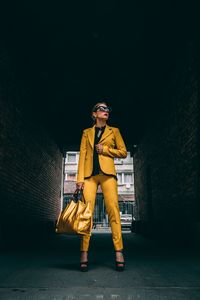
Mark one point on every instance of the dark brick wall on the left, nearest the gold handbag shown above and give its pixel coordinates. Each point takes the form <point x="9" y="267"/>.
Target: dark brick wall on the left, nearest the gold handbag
<point x="30" y="168"/>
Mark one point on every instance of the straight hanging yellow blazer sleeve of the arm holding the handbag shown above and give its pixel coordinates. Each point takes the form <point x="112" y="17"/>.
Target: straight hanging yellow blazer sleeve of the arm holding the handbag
<point x="81" y="162"/>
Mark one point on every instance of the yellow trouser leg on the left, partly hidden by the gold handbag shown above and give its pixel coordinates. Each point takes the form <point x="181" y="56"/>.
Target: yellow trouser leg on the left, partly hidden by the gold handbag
<point x="89" y="194"/>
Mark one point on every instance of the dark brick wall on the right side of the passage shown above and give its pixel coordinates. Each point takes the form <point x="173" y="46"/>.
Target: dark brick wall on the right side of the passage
<point x="166" y="162"/>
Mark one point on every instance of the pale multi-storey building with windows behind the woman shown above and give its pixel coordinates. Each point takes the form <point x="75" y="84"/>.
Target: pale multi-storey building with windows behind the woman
<point x="124" y="169"/>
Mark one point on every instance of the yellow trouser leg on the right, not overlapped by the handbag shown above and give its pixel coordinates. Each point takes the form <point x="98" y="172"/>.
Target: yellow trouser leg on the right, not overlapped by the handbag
<point x="110" y="192"/>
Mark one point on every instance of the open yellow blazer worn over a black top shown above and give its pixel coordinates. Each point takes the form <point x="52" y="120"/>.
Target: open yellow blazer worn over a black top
<point x="113" y="146"/>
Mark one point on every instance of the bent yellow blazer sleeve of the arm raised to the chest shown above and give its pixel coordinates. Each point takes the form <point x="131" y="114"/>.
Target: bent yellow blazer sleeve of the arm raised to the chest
<point x="120" y="150"/>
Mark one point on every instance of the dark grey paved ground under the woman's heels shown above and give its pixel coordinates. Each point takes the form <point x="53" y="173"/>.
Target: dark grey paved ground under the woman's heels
<point x="49" y="270"/>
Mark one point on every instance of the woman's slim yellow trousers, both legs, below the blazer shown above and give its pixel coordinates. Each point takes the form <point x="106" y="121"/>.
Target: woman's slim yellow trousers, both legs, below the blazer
<point x="110" y="193"/>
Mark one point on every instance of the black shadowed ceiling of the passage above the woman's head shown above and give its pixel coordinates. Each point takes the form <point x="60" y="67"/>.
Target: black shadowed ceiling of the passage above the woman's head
<point x="68" y="55"/>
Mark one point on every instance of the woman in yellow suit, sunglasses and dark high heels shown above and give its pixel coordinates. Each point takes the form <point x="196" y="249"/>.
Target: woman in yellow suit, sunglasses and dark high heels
<point x="100" y="144"/>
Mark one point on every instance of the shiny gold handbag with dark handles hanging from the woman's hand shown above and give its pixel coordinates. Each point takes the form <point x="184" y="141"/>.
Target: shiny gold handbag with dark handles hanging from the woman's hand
<point x="76" y="217"/>
